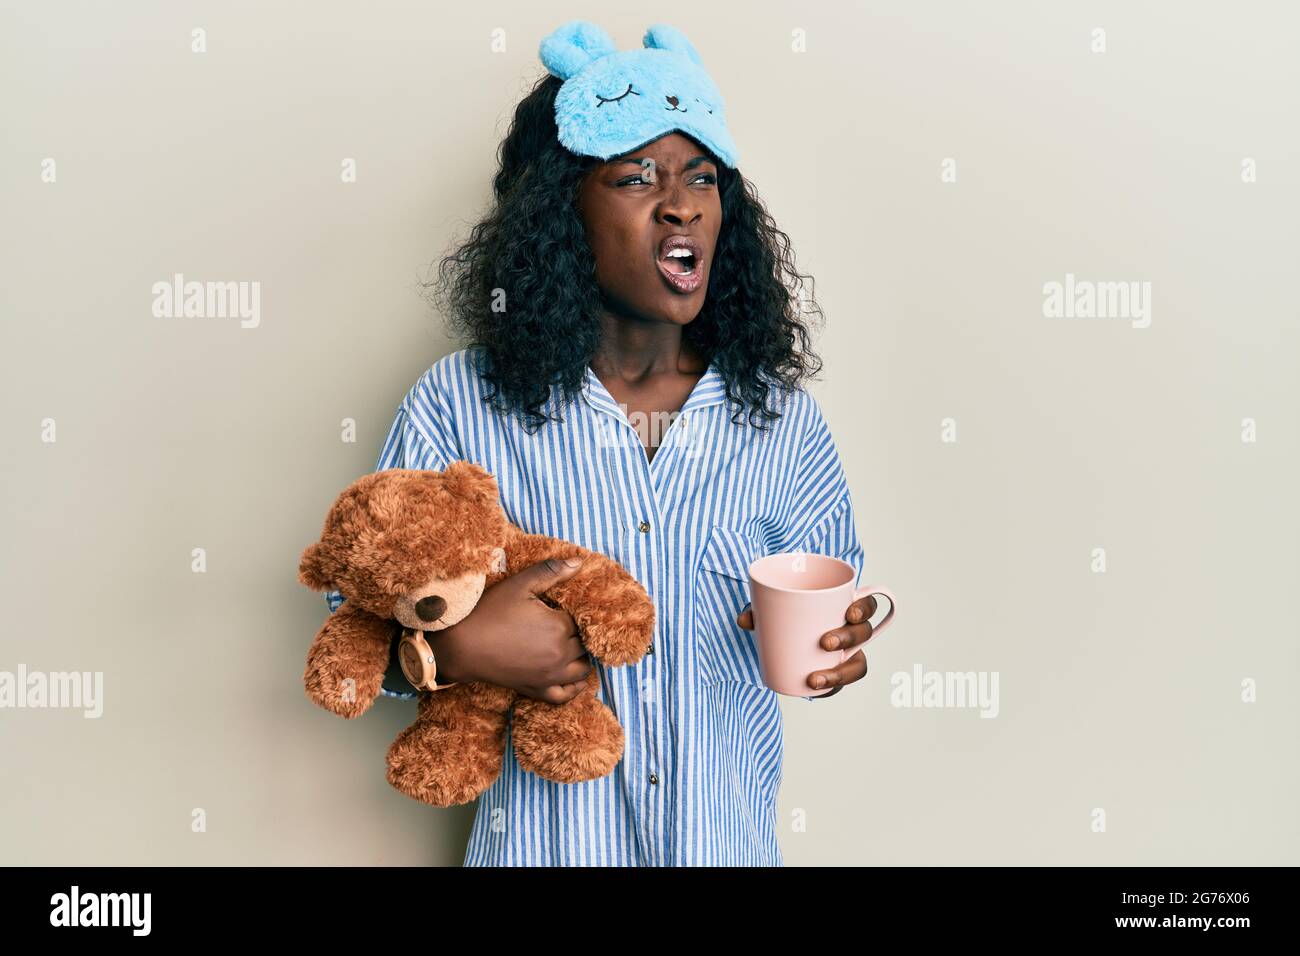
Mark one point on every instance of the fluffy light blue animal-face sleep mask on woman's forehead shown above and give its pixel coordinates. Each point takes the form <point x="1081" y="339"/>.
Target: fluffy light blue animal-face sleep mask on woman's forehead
<point x="614" y="102"/>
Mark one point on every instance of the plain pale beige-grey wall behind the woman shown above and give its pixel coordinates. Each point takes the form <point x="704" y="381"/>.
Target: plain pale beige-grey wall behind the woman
<point x="1120" y="691"/>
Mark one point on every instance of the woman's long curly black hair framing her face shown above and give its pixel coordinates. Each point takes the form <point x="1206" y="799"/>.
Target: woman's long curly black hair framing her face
<point x="530" y="259"/>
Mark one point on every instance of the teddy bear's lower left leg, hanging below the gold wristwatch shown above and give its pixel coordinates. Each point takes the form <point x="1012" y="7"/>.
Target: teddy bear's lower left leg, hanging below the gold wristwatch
<point x="454" y="750"/>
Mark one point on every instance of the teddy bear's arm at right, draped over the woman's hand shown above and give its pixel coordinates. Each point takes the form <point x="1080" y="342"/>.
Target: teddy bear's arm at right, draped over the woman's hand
<point x="614" y="613"/>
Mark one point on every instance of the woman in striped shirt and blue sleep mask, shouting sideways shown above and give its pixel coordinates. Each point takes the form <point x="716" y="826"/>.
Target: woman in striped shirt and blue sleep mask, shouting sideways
<point x="632" y="379"/>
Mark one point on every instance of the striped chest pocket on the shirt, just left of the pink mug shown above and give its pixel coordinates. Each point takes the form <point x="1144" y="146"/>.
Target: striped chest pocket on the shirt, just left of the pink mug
<point x="725" y="650"/>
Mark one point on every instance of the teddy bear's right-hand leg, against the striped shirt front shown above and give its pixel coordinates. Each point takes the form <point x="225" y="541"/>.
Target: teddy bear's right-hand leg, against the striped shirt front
<point x="567" y="743"/>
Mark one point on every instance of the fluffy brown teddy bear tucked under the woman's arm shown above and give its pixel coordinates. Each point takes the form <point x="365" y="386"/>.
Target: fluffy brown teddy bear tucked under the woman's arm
<point x="417" y="550"/>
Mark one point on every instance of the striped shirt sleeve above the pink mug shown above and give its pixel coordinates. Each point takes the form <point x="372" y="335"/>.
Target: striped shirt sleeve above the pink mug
<point x="824" y="520"/>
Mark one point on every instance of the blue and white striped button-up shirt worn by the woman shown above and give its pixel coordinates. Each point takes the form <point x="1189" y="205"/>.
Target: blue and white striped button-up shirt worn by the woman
<point x="703" y="763"/>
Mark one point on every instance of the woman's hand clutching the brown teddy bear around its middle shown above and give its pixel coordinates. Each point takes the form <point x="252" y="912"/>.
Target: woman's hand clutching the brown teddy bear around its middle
<point x="514" y="639"/>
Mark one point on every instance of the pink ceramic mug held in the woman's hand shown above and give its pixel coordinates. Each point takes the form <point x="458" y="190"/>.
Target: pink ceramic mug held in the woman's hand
<point x="796" y="599"/>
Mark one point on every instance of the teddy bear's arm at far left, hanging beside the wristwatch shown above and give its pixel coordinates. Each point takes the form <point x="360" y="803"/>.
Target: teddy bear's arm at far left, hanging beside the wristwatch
<point x="348" y="661"/>
